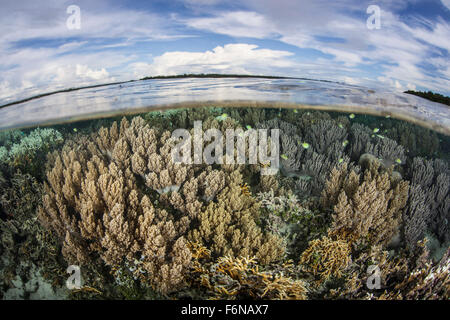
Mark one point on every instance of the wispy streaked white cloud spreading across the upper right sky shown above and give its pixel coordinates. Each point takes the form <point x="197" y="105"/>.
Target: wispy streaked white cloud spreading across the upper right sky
<point x="398" y="48"/>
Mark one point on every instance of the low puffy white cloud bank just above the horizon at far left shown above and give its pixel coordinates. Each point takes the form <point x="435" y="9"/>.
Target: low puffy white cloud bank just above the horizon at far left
<point x="34" y="73"/>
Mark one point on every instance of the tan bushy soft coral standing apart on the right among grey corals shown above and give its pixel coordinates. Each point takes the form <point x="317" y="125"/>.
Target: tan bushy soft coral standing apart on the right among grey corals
<point x="368" y="207"/>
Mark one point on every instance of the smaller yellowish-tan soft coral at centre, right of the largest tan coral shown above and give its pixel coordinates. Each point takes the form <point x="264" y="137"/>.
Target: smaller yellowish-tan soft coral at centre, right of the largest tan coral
<point x="228" y="226"/>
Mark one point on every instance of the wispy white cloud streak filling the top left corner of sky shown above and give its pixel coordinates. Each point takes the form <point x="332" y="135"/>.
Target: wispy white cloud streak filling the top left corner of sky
<point x="98" y="20"/>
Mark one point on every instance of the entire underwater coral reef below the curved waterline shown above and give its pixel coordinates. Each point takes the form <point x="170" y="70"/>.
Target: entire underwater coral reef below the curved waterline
<point x="226" y="203"/>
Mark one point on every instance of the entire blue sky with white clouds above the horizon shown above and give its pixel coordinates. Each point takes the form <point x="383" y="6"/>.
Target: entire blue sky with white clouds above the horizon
<point x="390" y="44"/>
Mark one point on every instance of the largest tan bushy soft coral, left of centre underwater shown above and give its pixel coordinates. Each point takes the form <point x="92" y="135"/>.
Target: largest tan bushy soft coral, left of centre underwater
<point x="93" y="203"/>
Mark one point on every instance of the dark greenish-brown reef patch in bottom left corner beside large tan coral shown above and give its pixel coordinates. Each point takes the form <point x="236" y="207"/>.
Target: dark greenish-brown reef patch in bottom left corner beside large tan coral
<point x="28" y="258"/>
